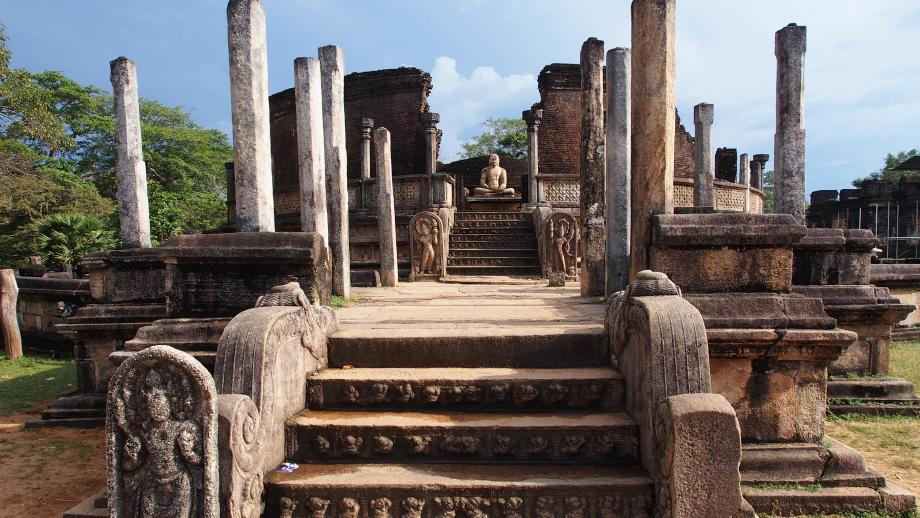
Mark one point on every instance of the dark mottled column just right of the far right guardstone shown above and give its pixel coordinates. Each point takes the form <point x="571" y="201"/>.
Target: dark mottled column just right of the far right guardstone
<point x="594" y="233"/>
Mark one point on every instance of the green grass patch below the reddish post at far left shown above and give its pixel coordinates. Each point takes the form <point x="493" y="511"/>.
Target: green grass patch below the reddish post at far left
<point x="26" y="381"/>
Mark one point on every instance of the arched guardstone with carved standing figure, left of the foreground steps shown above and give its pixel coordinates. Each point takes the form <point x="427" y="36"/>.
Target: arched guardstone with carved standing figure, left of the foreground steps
<point x="161" y="436"/>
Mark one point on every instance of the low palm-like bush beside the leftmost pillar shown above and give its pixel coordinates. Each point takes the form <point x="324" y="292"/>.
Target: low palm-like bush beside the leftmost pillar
<point x="64" y="239"/>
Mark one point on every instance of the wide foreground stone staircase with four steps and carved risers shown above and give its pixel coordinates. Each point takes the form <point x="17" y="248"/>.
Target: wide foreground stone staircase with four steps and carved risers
<point x="437" y="425"/>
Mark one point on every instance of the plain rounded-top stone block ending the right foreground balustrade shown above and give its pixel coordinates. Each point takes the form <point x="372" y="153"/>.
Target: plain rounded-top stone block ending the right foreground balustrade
<point x="701" y="454"/>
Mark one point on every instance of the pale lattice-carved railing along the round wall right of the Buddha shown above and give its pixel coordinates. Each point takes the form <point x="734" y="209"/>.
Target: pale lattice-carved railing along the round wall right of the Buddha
<point x="562" y="191"/>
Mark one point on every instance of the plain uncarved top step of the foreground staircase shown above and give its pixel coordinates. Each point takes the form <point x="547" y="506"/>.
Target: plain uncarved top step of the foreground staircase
<point x="537" y="347"/>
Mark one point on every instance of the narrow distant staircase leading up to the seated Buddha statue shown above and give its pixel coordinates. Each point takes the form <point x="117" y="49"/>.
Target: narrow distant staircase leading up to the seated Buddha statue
<point x="493" y="243"/>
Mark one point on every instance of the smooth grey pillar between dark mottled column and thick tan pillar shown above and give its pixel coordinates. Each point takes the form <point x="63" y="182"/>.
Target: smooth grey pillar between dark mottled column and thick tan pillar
<point x="617" y="203"/>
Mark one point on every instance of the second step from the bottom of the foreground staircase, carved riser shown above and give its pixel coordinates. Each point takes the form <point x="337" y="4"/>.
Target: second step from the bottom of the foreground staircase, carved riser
<point x="468" y="437"/>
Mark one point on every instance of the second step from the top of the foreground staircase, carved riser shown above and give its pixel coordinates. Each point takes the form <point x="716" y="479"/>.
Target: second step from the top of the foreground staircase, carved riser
<point x="459" y="389"/>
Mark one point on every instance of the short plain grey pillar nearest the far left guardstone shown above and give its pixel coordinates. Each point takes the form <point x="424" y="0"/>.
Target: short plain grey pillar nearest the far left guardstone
<point x="386" y="213"/>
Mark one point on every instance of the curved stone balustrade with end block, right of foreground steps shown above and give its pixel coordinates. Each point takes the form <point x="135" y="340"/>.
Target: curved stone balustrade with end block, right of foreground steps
<point x="690" y="439"/>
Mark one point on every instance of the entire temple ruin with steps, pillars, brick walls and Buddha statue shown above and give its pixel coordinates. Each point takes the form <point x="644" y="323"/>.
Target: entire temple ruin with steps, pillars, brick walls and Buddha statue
<point x="686" y="375"/>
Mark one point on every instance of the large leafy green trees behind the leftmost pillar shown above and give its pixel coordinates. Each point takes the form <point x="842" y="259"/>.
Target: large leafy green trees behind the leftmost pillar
<point x="57" y="155"/>
